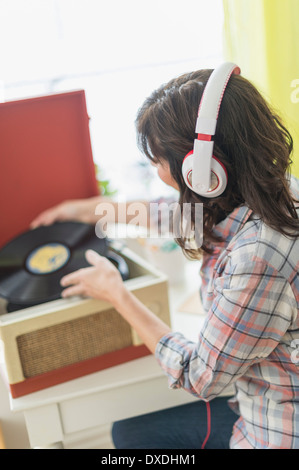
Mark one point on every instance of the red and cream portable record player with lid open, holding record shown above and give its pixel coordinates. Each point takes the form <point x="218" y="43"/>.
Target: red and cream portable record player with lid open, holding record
<point x="46" y="156"/>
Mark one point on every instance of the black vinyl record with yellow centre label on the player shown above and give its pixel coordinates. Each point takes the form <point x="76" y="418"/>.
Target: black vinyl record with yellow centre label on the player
<point x="32" y="264"/>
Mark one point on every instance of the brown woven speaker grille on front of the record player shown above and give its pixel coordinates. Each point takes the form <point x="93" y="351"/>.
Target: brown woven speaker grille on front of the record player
<point x="73" y="341"/>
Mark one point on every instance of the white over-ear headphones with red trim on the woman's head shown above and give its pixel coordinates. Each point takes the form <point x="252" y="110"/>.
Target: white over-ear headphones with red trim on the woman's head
<point x="202" y="172"/>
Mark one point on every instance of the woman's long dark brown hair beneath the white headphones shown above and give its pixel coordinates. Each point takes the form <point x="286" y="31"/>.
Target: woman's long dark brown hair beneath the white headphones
<point x="250" y="140"/>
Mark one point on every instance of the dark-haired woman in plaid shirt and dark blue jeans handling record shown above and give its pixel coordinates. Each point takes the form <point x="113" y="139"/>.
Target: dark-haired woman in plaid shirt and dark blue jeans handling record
<point x="250" y="283"/>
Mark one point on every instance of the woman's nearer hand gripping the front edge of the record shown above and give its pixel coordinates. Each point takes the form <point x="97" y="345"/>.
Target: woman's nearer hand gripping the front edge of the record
<point x="101" y="280"/>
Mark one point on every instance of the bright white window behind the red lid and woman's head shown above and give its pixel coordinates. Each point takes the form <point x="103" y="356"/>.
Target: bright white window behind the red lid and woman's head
<point x="118" y="52"/>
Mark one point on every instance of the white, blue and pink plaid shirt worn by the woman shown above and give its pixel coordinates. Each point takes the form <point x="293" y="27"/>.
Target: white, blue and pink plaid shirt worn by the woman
<point x="250" y="338"/>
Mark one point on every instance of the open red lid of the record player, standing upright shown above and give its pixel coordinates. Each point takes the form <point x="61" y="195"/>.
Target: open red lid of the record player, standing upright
<point x="45" y="157"/>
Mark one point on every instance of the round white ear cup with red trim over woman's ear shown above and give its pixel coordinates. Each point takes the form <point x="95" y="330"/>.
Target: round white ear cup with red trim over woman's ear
<point x="218" y="176"/>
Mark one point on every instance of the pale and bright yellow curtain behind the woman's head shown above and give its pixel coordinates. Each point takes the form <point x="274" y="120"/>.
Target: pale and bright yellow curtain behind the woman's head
<point x="262" y="37"/>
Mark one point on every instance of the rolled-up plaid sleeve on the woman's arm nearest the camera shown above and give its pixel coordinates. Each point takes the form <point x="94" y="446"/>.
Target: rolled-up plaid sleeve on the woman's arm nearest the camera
<point x="252" y="309"/>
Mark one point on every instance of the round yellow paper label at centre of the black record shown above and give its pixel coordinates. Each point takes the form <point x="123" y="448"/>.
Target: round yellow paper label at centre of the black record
<point x="47" y="258"/>
